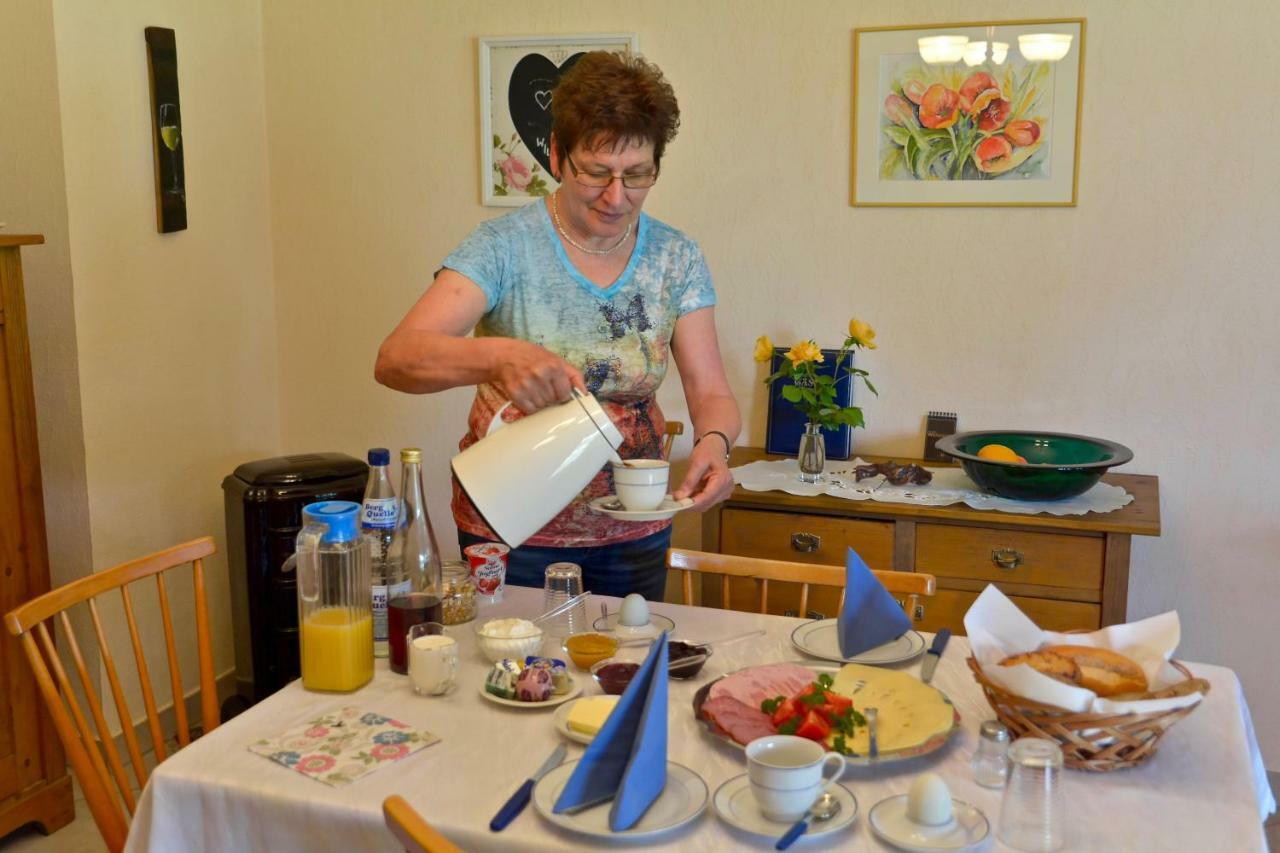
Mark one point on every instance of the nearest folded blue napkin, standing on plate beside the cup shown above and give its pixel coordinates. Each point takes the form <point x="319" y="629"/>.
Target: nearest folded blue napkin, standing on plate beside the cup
<point x="628" y="760"/>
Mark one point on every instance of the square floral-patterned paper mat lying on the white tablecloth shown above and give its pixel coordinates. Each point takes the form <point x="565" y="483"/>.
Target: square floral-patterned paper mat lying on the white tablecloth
<point x="342" y="746"/>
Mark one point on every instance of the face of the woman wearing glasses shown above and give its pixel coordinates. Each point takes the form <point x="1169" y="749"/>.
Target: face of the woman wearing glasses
<point x="604" y="213"/>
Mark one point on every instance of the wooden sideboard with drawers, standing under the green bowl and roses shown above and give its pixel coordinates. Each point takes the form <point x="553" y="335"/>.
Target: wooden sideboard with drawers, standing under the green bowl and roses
<point x="1066" y="572"/>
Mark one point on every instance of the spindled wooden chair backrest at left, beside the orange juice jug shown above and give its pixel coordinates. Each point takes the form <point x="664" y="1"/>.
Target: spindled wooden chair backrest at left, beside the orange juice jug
<point x="95" y="759"/>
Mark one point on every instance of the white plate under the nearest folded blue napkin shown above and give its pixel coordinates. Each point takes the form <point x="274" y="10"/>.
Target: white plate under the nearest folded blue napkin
<point x="682" y="801"/>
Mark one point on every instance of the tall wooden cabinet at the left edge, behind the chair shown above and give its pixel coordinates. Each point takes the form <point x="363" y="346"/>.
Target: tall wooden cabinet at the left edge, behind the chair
<point x="34" y="782"/>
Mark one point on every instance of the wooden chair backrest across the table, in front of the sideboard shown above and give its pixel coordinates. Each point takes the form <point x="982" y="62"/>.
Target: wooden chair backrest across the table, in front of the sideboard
<point x="907" y="585"/>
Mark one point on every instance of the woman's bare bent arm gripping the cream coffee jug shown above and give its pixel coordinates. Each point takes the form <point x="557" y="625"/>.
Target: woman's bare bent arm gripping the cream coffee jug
<point x="429" y="352"/>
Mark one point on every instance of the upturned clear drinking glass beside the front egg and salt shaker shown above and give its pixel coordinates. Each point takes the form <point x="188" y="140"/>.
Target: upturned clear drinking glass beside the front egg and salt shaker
<point x="1032" y="815"/>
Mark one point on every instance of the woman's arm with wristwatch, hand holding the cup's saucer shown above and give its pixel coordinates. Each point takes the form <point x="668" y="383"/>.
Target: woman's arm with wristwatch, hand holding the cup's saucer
<point x="711" y="407"/>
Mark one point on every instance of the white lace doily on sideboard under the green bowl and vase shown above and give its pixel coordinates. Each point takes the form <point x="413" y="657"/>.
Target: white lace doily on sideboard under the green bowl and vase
<point x="949" y="486"/>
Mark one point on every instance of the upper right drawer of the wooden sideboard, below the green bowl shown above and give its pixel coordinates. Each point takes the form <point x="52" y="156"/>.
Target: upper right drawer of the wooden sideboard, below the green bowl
<point x="1011" y="556"/>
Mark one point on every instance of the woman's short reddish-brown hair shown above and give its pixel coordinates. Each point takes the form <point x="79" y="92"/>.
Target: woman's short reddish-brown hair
<point x="610" y="98"/>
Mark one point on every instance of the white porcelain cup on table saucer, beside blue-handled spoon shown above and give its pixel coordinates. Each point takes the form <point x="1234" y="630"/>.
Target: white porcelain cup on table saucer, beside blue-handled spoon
<point x="787" y="774"/>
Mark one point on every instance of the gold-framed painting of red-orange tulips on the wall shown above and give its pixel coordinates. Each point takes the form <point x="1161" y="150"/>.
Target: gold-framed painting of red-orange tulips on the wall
<point x="936" y="134"/>
